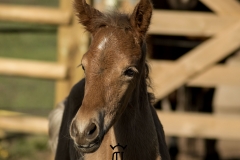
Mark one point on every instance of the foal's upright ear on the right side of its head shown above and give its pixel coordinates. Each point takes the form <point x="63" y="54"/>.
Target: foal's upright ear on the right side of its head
<point x="141" y="16"/>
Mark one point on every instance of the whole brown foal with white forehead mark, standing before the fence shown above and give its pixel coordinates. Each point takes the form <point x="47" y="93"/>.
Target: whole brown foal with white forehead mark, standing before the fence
<point x="114" y="117"/>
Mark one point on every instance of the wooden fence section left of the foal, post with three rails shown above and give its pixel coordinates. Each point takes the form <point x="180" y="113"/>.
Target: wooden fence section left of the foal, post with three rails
<point x="72" y="44"/>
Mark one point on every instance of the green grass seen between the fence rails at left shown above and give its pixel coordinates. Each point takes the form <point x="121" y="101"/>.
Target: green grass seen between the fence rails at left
<point x="28" y="95"/>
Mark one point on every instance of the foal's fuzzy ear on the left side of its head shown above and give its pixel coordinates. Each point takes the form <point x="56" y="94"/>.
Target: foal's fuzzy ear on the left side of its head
<point x="86" y="14"/>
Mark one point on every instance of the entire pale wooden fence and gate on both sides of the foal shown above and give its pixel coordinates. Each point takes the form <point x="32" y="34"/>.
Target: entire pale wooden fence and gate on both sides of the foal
<point x="196" y="68"/>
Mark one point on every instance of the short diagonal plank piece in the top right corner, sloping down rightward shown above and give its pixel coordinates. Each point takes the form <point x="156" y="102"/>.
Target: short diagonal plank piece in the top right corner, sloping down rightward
<point x="224" y="7"/>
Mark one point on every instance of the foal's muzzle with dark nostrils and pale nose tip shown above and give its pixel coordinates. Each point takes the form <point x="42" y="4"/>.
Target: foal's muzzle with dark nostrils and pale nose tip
<point x="86" y="137"/>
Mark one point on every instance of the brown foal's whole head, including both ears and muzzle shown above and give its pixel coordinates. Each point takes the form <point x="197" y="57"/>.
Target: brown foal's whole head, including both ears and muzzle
<point x="113" y="65"/>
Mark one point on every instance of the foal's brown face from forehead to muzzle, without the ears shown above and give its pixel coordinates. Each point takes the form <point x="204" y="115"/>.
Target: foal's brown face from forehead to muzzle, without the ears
<point x="112" y="67"/>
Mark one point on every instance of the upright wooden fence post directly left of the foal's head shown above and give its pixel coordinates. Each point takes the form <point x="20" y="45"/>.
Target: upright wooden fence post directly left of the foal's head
<point x="73" y="42"/>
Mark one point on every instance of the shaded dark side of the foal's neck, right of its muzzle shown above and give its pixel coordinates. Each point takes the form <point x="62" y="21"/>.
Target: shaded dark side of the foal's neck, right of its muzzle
<point x="136" y="129"/>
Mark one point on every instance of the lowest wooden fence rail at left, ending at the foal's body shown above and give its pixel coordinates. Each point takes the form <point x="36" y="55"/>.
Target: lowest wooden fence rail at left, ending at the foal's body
<point x="23" y="123"/>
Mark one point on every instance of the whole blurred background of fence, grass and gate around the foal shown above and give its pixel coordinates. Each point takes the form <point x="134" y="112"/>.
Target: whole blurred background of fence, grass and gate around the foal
<point x="193" y="50"/>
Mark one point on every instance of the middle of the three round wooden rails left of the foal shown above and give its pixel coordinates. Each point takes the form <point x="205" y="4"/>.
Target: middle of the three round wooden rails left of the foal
<point x="31" y="68"/>
